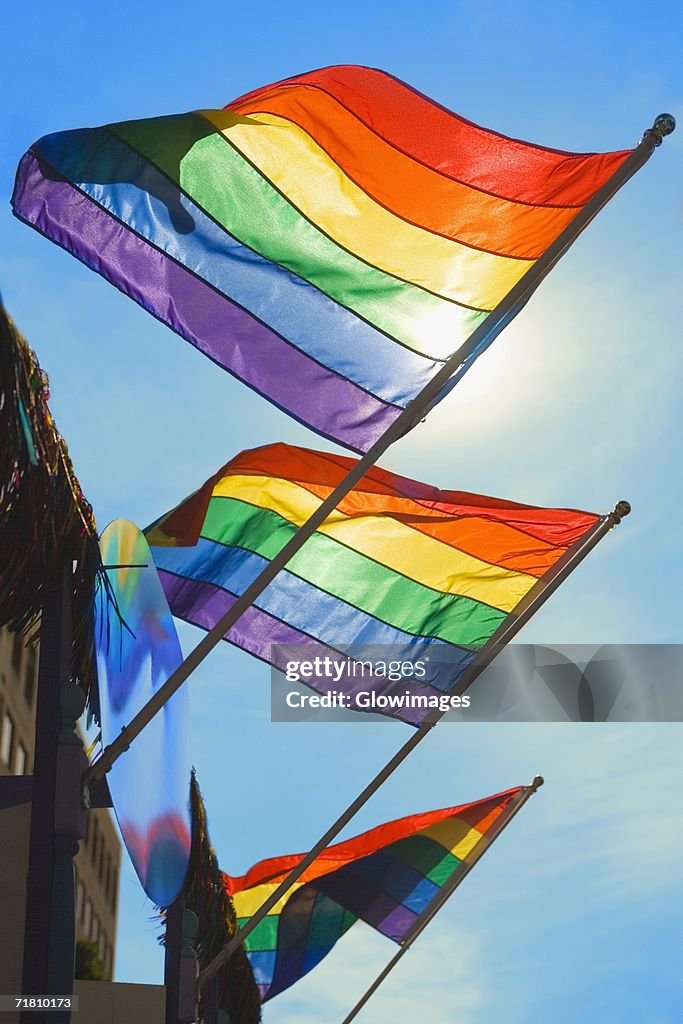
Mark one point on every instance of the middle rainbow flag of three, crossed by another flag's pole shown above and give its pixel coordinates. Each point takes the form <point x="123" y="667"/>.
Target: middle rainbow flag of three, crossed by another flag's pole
<point x="400" y="568"/>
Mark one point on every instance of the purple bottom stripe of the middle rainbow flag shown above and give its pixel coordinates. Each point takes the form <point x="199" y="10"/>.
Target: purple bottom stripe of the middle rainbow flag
<point x="203" y="605"/>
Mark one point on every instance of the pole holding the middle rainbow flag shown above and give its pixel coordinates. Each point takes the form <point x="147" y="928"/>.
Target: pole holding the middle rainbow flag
<point x="536" y="599"/>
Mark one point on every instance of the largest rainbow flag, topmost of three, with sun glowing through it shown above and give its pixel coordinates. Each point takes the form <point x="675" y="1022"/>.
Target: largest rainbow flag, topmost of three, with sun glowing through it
<point x="331" y="240"/>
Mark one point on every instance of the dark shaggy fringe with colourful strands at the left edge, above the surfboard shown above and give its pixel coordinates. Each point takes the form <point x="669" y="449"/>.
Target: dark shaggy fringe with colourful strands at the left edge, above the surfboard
<point x="45" y="517"/>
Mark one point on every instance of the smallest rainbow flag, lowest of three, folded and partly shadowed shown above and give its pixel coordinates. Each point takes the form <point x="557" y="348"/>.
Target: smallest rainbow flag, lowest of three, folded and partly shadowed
<point x="388" y="877"/>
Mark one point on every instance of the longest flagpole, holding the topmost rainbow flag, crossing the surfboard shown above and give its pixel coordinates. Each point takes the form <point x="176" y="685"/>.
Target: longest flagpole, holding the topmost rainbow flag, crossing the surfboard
<point x="515" y="302"/>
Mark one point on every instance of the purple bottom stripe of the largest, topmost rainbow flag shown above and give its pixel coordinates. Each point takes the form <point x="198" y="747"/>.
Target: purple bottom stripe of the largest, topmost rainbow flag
<point x="225" y="332"/>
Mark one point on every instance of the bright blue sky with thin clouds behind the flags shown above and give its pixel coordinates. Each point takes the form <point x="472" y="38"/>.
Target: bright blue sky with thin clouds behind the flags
<point x="576" y="914"/>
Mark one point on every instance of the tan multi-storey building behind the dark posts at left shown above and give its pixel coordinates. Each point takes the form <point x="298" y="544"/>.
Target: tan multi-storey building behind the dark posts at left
<point x="99" y="861"/>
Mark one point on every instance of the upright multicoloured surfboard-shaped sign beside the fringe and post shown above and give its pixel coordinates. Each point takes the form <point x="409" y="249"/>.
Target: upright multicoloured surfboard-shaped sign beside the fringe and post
<point x="138" y="651"/>
